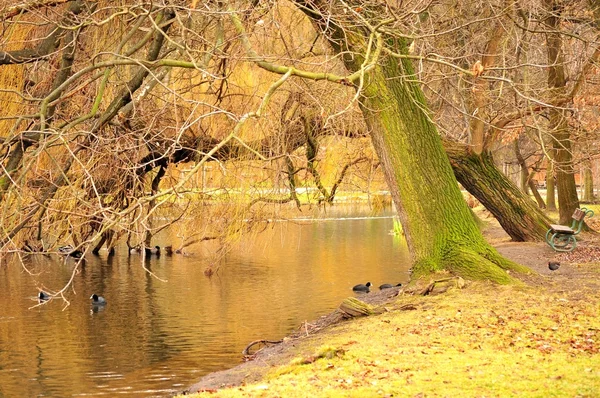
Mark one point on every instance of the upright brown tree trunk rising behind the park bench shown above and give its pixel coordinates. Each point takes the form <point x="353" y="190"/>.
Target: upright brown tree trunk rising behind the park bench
<point x="559" y="127"/>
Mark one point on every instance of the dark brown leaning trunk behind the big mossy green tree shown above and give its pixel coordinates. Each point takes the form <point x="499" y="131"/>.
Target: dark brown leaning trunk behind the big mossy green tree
<point x="516" y="212"/>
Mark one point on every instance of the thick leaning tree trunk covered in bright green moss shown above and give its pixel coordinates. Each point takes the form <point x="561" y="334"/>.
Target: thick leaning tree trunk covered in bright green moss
<point x="440" y="230"/>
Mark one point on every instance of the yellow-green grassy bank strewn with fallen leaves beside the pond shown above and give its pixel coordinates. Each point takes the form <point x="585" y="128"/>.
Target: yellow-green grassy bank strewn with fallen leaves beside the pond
<point x="483" y="340"/>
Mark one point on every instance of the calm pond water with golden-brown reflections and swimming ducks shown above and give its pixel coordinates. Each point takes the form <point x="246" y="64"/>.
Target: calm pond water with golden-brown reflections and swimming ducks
<point x="158" y="336"/>
